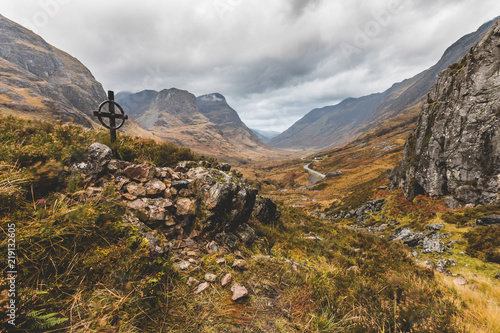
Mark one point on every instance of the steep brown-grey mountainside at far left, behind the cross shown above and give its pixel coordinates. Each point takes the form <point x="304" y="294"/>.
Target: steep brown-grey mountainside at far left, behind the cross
<point x="40" y="81"/>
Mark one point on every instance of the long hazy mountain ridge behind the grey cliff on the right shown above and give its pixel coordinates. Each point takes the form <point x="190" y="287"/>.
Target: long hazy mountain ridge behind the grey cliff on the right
<point x="339" y="124"/>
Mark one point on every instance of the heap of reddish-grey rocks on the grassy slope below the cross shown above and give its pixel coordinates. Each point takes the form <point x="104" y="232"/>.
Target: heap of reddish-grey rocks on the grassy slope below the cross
<point x="189" y="202"/>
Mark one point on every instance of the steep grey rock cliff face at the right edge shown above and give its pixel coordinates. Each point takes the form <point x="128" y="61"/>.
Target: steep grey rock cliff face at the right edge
<point x="455" y="146"/>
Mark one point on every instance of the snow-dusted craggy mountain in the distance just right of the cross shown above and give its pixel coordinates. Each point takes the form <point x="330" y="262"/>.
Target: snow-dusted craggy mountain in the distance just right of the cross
<point x="206" y="124"/>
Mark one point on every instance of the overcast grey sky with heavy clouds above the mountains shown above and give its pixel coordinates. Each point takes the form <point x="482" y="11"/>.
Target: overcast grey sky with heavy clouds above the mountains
<point x="273" y="60"/>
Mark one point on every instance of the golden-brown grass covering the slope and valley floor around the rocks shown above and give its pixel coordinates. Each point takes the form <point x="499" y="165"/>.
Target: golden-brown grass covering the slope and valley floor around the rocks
<point x="84" y="268"/>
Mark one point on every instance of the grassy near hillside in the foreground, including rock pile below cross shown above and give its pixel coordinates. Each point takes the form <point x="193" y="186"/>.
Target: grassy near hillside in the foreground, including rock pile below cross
<point x="88" y="259"/>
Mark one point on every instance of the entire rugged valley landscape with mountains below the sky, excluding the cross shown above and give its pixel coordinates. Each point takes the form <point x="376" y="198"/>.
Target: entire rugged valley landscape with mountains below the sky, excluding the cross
<point x="378" y="214"/>
